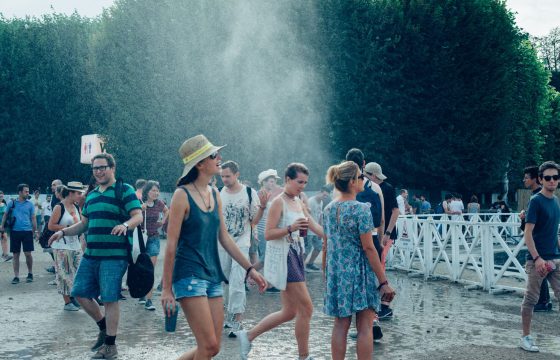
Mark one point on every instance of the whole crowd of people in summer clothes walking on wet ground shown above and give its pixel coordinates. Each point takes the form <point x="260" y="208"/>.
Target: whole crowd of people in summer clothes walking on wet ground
<point x="219" y="240"/>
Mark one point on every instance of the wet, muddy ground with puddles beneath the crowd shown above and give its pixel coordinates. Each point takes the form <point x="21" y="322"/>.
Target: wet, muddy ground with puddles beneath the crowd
<point x="433" y="320"/>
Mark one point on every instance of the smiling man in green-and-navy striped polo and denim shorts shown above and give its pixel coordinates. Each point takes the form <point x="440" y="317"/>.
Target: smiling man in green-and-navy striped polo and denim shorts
<point x="105" y="259"/>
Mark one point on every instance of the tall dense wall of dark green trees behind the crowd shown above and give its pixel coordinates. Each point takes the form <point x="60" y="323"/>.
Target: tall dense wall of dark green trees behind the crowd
<point x="442" y="93"/>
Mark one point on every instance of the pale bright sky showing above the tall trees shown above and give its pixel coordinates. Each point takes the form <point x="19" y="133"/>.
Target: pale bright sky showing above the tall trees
<point x="537" y="17"/>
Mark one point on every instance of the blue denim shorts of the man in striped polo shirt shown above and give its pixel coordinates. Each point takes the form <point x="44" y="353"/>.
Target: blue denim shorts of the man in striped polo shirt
<point x="97" y="277"/>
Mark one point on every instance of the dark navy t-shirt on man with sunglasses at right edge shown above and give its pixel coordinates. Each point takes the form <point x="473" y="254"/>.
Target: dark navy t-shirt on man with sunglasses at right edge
<point x="544" y="212"/>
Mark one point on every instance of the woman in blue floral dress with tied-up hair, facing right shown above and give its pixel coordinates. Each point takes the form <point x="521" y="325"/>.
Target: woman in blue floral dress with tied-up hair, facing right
<point x="355" y="278"/>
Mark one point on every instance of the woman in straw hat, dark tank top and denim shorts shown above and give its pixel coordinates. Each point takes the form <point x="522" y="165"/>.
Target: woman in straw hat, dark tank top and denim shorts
<point x="191" y="263"/>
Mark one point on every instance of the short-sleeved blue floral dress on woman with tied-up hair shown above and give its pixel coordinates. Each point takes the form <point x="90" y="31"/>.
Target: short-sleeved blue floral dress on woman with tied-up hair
<point x="351" y="282"/>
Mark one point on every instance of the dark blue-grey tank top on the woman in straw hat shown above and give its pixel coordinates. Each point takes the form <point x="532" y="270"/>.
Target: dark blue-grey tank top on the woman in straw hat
<point x="197" y="248"/>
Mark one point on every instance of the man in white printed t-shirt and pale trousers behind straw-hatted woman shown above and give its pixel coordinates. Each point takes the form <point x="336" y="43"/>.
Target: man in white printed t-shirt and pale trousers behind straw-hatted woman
<point x="242" y="208"/>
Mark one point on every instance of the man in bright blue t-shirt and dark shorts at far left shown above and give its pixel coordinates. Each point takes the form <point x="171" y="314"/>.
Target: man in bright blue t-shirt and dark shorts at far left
<point x="20" y="219"/>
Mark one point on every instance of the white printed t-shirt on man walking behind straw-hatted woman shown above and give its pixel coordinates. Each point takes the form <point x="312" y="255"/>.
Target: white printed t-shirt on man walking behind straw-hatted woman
<point x="237" y="215"/>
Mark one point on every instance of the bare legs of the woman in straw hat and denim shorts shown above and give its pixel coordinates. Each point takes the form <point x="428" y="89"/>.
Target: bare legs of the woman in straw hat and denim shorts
<point x="205" y="317"/>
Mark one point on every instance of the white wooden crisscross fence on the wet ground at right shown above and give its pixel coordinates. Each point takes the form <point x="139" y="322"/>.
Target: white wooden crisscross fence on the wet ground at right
<point x="462" y="248"/>
